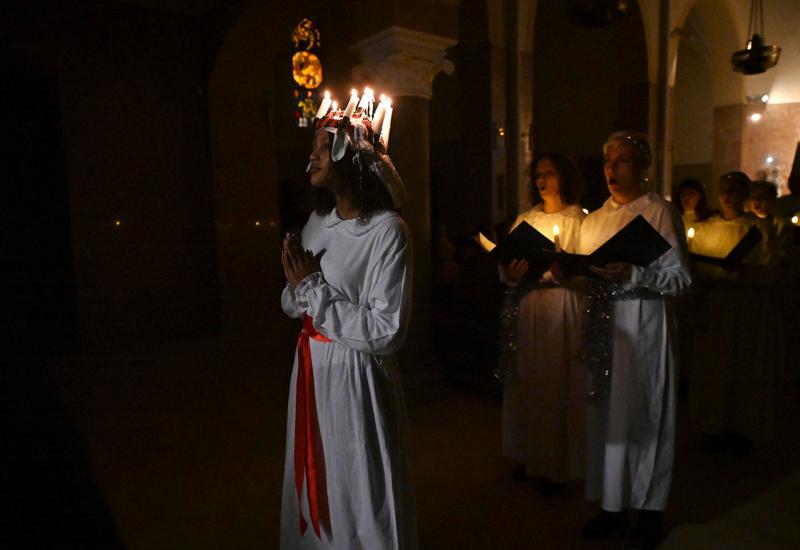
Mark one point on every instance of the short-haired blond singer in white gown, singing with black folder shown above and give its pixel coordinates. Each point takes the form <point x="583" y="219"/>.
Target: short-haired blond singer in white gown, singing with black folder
<point x="631" y="417"/>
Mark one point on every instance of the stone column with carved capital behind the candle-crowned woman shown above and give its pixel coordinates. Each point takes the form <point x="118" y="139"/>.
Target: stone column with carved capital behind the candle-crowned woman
<point x="403" y="63"/>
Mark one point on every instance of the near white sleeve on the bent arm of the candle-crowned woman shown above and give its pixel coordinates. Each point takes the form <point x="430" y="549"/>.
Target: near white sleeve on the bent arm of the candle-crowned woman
<point x="377" y="326"/>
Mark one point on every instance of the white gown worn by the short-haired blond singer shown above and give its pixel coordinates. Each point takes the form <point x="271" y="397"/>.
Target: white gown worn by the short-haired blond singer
<point x="631" y="431"/>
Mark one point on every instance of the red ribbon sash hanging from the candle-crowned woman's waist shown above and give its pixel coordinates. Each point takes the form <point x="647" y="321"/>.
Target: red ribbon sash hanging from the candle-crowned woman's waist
<point x="309" y="456"/>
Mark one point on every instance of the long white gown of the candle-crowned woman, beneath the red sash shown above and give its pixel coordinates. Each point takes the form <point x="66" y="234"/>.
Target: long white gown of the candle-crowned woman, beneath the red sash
<point x="361" y="302"/>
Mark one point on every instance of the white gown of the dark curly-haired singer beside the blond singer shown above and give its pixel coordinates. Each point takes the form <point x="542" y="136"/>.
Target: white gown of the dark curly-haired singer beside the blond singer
<point x="544" y="396"/>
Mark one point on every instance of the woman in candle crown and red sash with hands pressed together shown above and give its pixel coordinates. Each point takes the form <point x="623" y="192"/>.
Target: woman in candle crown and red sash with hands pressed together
<point x="349" y="279"/>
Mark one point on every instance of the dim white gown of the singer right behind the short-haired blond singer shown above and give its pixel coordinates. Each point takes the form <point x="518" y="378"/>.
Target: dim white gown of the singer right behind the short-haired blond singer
<point x="736" y="364"/>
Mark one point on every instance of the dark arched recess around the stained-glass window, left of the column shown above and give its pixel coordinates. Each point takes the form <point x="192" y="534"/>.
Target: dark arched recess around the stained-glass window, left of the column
<point x="259" y="154"/>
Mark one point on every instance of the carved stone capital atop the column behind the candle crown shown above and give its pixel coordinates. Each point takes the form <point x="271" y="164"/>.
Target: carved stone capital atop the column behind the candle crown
<point x="403" y="61"/>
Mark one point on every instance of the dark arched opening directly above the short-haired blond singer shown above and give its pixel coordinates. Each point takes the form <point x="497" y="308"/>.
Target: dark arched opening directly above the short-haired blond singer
<point x="587" y="83"/>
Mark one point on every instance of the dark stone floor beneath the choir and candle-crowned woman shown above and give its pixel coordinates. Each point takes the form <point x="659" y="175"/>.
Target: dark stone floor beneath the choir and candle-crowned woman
<point x="179" y="445"/>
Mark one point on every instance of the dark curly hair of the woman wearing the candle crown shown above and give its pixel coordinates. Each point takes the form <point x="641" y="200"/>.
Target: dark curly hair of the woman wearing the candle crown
<point x="360" y="185"/>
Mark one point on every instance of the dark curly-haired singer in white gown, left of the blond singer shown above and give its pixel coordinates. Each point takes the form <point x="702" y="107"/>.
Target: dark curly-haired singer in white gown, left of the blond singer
<point x="544" y="390"/>
